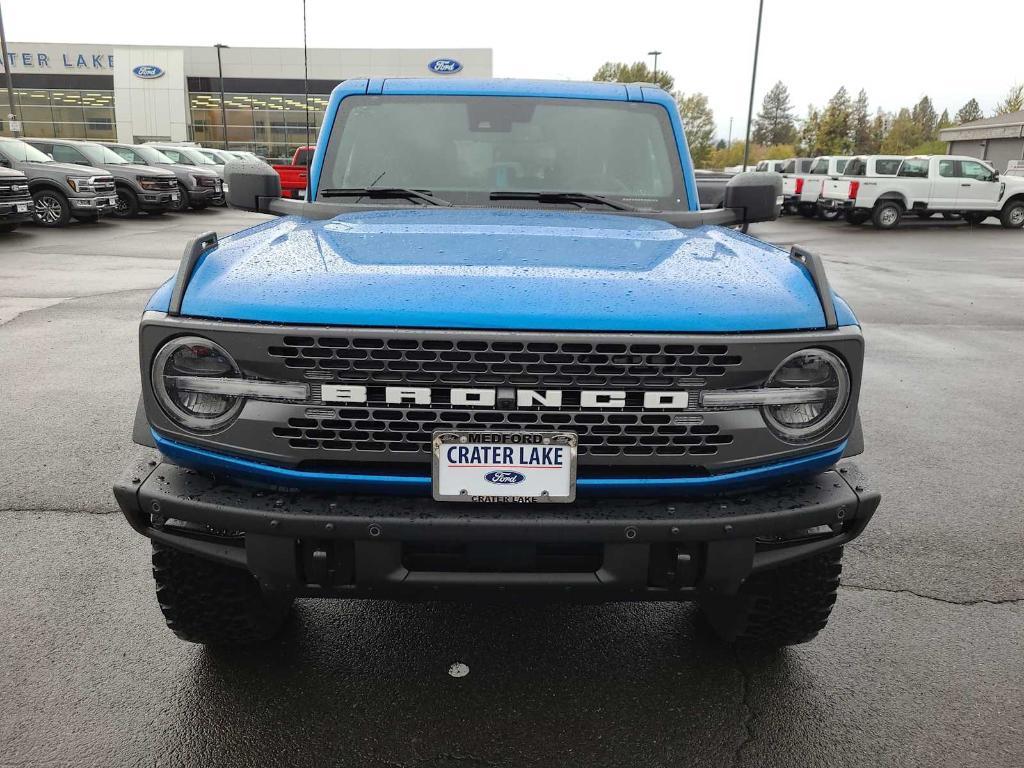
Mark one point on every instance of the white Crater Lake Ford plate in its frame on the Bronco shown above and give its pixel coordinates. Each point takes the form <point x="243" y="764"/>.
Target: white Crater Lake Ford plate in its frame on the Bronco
<point x="505" y="467"/>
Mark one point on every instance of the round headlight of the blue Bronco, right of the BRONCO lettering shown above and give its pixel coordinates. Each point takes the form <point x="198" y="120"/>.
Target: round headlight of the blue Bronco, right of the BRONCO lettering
<point x="821" y="372"/>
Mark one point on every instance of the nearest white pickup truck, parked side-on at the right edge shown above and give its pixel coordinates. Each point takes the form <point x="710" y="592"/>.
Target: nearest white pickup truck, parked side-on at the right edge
<point x="944" y="184"/>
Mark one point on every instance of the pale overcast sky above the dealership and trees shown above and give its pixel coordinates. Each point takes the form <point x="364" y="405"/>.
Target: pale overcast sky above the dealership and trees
<point x="898" y="52"/>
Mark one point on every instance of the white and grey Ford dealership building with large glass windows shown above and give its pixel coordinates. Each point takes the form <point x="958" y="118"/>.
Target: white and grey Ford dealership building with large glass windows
<point x="140" y="94"/>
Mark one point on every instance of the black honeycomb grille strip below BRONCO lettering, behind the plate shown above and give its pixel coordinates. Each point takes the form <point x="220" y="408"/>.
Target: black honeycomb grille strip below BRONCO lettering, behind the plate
<point x="408" y="432"/>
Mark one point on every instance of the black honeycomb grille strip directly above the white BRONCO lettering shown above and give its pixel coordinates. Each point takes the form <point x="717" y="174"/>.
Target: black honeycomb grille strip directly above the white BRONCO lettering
<point x="495" y="363"/>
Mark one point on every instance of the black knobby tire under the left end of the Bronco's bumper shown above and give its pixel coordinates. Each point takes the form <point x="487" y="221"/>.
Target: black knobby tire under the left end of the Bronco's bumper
<point x="207" y="603"/>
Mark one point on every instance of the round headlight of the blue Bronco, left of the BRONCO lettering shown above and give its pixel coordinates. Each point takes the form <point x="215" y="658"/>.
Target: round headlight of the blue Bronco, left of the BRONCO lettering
<point x="178" y="369"/>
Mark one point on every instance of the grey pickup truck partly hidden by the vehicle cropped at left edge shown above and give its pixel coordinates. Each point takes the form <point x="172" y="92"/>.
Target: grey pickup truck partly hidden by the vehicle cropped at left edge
<point x="61" y="192"/>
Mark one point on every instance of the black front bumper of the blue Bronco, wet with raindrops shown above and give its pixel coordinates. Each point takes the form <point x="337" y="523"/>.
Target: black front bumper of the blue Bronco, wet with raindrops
<point x="413" y="547"/>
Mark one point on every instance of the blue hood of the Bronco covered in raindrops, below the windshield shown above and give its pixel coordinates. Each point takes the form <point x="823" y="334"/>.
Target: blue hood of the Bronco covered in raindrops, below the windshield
<point x="502" y="270"/>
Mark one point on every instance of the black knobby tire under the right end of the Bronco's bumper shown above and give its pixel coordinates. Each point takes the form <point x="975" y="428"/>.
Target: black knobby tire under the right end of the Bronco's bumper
<point x="783" y="607"/>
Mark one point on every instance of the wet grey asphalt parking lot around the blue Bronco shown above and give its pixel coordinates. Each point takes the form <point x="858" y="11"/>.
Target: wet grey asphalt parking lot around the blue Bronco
<point x="922" y="663"/>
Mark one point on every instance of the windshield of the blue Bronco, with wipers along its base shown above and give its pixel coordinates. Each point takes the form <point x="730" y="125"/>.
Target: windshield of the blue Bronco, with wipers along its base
<point x="466" y="148"/>
